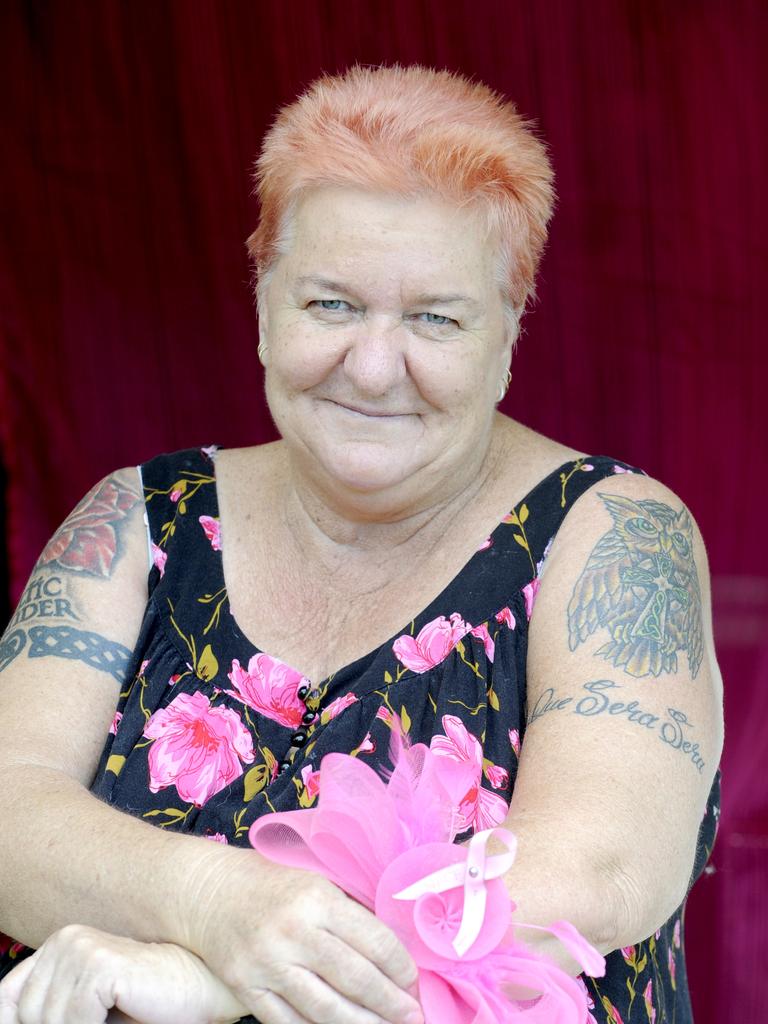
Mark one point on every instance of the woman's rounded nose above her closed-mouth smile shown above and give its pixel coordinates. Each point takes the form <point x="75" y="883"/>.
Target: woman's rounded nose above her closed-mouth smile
<point x="375" y="362"/>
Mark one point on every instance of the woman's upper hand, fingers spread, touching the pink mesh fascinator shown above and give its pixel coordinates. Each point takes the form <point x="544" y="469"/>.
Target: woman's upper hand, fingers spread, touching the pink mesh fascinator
<point x="296" y="950"/>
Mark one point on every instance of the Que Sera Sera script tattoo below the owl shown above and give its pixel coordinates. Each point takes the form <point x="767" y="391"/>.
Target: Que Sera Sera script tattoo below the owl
<point x="599" y="701"/>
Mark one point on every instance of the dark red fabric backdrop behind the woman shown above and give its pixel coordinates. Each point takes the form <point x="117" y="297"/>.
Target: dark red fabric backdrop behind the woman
<point x="127" y="327"/>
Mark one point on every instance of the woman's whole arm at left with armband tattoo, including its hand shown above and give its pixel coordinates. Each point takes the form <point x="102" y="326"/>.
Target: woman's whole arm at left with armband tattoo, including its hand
<point x="278" y="937"/>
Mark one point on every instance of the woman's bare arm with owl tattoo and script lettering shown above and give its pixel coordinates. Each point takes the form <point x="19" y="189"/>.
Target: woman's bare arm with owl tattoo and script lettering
<point x="624" y="724"/>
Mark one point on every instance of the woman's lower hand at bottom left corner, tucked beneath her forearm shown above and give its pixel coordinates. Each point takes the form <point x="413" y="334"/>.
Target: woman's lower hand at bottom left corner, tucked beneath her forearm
<point x="79" y="974"/>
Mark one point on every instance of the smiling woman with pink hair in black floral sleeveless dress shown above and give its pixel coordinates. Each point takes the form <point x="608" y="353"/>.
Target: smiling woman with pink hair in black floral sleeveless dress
<point x="390" y="554"/>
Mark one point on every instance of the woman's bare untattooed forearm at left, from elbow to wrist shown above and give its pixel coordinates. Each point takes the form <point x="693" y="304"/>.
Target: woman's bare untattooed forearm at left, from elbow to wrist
<point x="70" y="859"/>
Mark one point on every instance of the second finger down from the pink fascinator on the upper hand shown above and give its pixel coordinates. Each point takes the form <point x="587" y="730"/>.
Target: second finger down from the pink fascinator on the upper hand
<point x="360" y="980"/>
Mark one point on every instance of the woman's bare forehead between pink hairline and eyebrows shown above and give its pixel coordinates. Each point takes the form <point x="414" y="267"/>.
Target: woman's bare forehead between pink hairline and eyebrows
<point x="424" y="241"/>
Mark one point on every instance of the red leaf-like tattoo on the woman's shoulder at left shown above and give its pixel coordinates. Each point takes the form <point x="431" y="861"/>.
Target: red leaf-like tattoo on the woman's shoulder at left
<point x="88" y="541"/>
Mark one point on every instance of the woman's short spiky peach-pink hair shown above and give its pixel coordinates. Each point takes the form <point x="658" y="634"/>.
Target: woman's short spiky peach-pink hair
<point x="410" y="132"/>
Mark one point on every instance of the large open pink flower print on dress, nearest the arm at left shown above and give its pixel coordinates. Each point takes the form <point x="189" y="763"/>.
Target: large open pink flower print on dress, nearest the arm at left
<point x="198" y="749"/>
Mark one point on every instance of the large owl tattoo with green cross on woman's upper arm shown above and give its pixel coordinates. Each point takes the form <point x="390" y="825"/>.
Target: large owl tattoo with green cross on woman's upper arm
<point x="642" y="585"/>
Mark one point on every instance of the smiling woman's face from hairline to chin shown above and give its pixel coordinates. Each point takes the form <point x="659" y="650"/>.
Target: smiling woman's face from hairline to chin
<point x="387" y="340"/>
